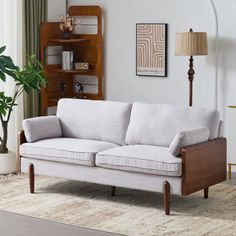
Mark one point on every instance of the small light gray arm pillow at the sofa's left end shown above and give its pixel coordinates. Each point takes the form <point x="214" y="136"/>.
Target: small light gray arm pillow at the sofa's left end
<point x="41" y="128"/>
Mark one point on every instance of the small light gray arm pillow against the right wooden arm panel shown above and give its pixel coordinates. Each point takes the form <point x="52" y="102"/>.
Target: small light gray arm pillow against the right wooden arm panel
<point x="186" y="138"/>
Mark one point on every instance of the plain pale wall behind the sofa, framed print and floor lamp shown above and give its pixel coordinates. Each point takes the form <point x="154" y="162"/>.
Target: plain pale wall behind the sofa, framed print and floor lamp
<point x="217" y="17"/>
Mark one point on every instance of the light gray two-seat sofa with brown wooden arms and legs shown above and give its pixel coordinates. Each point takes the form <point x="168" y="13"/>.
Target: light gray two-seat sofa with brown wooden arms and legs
<point x="153" y="147"/>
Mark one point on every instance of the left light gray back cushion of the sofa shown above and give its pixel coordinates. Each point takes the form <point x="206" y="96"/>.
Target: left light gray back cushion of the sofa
<point x="96" y="120"/>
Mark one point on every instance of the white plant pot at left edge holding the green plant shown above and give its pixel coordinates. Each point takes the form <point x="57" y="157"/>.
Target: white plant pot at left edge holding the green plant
<point x="7" y="163"/>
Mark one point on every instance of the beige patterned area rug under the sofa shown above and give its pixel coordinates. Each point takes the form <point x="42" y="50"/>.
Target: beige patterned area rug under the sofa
<point x="131" y="212"/>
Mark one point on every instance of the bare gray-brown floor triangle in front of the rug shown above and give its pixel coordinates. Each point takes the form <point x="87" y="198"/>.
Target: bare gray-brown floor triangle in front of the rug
<point x="19" y="225"/>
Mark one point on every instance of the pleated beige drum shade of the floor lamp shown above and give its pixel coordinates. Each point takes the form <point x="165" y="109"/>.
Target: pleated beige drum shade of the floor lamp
<point x="191" y="43"/>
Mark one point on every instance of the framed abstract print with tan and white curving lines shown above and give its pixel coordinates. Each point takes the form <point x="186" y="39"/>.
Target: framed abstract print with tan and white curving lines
<point x="151" y="49"/>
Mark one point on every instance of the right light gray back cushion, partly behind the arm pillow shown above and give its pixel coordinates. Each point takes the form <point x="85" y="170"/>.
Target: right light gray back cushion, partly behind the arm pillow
<point x="158" y="124"/>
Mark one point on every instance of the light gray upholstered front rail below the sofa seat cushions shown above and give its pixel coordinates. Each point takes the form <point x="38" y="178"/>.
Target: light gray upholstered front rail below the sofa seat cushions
<point x="103" y="176"/>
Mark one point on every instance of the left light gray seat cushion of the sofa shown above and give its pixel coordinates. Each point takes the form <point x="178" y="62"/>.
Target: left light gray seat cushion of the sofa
<point x="69" y="150"/>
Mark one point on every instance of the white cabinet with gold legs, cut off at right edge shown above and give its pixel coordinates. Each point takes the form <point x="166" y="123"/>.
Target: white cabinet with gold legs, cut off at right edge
<point x="231" y="138"/>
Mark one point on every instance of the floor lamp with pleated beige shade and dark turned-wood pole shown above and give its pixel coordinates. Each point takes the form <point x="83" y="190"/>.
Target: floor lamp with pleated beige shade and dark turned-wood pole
<point x="191" y="44"/>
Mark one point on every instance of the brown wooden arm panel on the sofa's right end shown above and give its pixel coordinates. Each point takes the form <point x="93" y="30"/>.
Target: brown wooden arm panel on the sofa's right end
<point x="203" y="165"/>
